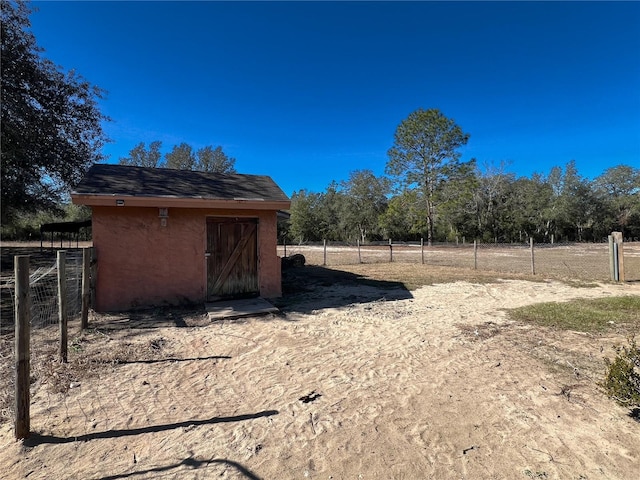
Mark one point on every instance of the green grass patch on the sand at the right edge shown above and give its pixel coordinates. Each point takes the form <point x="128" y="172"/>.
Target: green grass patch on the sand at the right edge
<point x="596" y="315"/>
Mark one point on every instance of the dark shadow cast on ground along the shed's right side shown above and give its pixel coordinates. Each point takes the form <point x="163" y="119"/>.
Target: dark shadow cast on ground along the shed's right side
<point x="309" y="288"/>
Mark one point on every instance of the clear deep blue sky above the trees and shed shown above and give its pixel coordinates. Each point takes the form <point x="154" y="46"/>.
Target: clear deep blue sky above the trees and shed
<point x="307" y="92"/>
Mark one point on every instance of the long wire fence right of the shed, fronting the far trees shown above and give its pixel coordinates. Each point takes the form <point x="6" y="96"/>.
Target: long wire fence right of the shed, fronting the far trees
<point x="580" y="261"/>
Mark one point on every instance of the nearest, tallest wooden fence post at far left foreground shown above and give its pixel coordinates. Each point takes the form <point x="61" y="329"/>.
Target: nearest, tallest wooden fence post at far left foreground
<point x="22" y="353"/>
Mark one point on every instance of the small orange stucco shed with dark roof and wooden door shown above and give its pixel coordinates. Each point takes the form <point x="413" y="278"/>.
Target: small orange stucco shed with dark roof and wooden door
<point x="165" y="236"/>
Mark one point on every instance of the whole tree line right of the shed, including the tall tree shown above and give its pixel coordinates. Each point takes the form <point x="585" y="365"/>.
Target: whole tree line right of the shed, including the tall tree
<point x="429" y="193"/>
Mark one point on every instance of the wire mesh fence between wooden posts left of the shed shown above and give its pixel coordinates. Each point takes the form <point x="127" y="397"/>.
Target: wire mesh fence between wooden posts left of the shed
<point x="44" y="322"/>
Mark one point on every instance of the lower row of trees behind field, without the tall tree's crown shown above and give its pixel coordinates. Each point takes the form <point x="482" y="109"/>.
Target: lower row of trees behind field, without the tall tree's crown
<point x="490" y="206"/>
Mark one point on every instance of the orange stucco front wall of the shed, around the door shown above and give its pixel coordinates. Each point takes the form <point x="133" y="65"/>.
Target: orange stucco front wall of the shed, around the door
<point x="142" y="263"/>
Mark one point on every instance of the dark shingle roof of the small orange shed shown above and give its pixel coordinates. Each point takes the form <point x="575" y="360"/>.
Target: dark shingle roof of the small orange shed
<point x="107" y="179"/>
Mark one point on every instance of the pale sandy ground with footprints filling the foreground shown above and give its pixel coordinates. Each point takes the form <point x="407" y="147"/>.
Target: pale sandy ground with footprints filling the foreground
<point x="349" y="382"/>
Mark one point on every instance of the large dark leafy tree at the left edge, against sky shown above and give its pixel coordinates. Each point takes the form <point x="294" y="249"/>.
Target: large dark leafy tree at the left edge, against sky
<point x="51" y="126"/>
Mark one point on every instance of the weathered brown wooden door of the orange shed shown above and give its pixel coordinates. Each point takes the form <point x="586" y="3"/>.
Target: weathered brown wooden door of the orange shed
<point x="232" y="258"/>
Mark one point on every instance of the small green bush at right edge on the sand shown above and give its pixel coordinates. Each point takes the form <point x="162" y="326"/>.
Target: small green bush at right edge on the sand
<point x="622" y="380"/>
